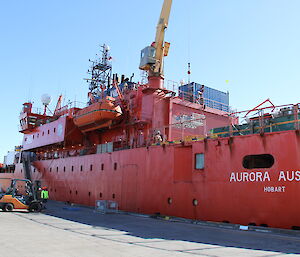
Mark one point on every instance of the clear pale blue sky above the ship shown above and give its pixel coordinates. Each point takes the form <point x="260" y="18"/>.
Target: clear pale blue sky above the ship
<point x="45" y="47"/>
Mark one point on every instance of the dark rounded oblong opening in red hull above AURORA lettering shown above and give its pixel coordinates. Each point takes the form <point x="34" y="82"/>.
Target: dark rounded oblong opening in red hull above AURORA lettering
<point x="258" y="161"/>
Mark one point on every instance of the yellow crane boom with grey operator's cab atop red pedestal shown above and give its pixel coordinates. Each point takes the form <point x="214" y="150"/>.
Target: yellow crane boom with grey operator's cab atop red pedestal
<point x="152" y="57"/>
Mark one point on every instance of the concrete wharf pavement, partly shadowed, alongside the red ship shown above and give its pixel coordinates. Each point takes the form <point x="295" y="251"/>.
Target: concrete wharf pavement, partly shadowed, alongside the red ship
<point x="64" y="230"/>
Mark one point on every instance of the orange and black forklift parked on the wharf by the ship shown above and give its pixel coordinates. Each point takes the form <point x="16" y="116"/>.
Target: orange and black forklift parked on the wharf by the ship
<point x="21" y="194"/>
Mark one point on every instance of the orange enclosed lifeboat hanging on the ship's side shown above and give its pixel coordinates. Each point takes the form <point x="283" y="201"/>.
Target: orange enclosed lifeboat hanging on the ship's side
<point x="97" y="115"/>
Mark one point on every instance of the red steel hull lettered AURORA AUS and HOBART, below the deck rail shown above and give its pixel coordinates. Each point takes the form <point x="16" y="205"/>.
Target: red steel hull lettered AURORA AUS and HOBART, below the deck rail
<point x="163" y="179"/>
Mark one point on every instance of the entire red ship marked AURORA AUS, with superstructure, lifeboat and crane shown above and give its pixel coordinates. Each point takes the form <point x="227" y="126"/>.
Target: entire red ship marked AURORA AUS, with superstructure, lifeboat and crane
<point x="152" y="150"/>
